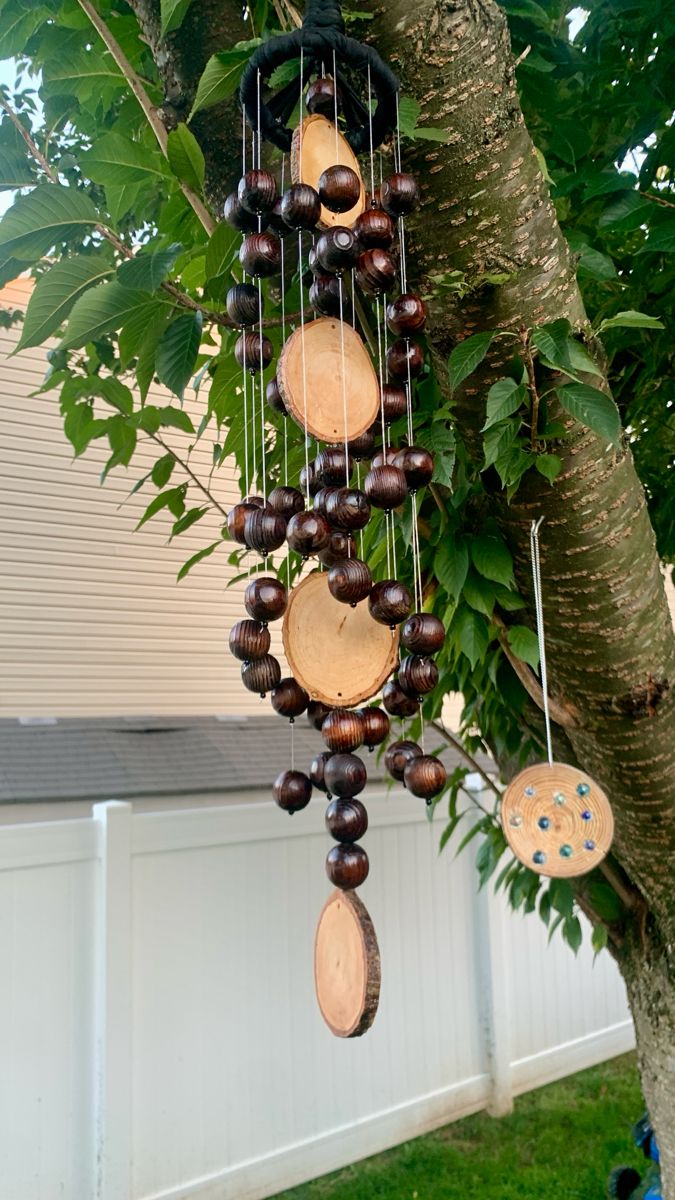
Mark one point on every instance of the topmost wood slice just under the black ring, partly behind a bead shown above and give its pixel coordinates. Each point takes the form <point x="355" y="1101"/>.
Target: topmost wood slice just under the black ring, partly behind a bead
<point x="316" y="146"/>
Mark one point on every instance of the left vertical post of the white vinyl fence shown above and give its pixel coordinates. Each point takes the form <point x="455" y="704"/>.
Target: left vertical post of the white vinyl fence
<point x="112" y="1004"/>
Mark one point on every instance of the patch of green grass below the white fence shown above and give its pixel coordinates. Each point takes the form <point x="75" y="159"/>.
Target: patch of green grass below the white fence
<point x="559" y="1144"/>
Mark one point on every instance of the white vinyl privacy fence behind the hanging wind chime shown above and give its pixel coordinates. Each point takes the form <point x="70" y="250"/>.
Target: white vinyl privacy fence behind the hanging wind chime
<point x="159" y="1035"/>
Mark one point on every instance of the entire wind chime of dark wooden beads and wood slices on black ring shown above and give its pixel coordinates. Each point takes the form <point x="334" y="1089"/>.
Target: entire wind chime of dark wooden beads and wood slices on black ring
<point x="348" y="634"/>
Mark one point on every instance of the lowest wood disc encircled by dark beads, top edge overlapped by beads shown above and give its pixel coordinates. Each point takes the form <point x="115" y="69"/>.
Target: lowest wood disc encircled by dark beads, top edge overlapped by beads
<point x="338" y="655"/>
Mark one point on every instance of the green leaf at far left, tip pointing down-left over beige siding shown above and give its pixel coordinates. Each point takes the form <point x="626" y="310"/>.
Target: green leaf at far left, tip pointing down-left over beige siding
<point x="56" y="293"/>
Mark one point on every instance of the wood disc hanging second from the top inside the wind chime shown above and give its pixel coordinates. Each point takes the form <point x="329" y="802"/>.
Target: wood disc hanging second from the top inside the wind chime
<point x="313" y="365"/>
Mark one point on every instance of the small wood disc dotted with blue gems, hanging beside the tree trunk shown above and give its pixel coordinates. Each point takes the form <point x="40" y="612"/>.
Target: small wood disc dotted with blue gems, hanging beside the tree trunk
<point x="557" y="820"/>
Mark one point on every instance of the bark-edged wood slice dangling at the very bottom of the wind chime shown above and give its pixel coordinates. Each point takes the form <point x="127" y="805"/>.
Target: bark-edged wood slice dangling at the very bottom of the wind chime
<point x="347" y="967"/>
